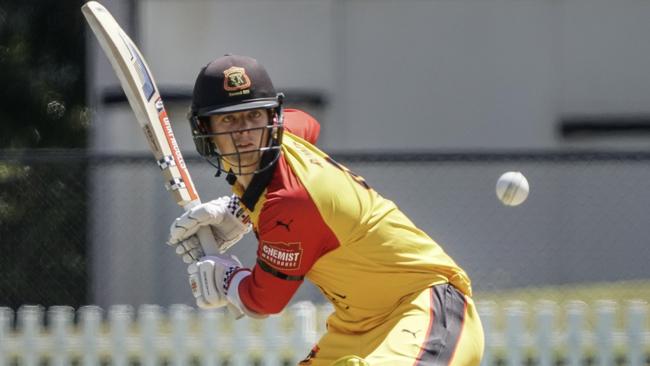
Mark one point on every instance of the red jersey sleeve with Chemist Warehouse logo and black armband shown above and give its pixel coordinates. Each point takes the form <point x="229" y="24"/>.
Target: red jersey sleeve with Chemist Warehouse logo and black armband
<point x="292" y="236"/>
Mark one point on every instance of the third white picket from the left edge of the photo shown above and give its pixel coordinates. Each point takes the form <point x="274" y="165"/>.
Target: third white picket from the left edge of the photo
<point x="60" y="318"/>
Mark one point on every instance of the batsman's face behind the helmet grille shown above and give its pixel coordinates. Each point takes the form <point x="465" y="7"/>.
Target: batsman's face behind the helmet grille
<point x="239" y="137"/>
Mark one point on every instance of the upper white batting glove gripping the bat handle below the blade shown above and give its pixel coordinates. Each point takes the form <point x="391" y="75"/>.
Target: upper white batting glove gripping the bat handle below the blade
<point x="226" y="219"/>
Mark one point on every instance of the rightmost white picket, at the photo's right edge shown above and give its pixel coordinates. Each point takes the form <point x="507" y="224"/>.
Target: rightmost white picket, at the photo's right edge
<point x="637" y="313"/>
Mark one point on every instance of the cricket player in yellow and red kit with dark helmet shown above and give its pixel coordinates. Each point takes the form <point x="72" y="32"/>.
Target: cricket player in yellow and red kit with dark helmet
<point x="399" y="299"/>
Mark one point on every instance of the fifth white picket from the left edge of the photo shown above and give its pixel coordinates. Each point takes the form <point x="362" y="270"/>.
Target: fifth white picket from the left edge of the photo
<point x="120" y="318"/>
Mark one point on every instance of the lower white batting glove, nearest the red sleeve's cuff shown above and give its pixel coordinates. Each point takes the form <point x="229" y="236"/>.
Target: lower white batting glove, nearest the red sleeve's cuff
<point x="210" y="280"/>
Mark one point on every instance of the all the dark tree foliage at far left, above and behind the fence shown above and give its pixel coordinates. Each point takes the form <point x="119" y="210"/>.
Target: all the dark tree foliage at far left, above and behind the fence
<point x="42" y="105"/>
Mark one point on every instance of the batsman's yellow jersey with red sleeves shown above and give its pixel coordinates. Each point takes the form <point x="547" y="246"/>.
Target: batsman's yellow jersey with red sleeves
<point x="316" y="219"/>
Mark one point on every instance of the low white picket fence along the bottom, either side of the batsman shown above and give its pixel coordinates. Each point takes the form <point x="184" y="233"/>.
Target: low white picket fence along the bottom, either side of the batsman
<point x="605" y="333"/>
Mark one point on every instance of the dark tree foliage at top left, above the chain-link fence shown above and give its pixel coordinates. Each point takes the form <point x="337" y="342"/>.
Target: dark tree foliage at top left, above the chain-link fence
<point x="42" y="72"/>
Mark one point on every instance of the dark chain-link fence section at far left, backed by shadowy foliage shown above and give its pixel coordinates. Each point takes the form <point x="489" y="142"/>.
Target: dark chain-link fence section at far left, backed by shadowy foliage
<point x="43" y="251"/>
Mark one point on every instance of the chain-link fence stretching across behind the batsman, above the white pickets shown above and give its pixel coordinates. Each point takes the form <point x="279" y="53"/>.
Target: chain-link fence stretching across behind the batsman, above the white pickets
<point x="78" y="229"/>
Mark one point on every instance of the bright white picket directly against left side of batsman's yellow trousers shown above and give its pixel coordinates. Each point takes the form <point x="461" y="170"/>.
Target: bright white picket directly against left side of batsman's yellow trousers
<point x="304" y="336"/>
